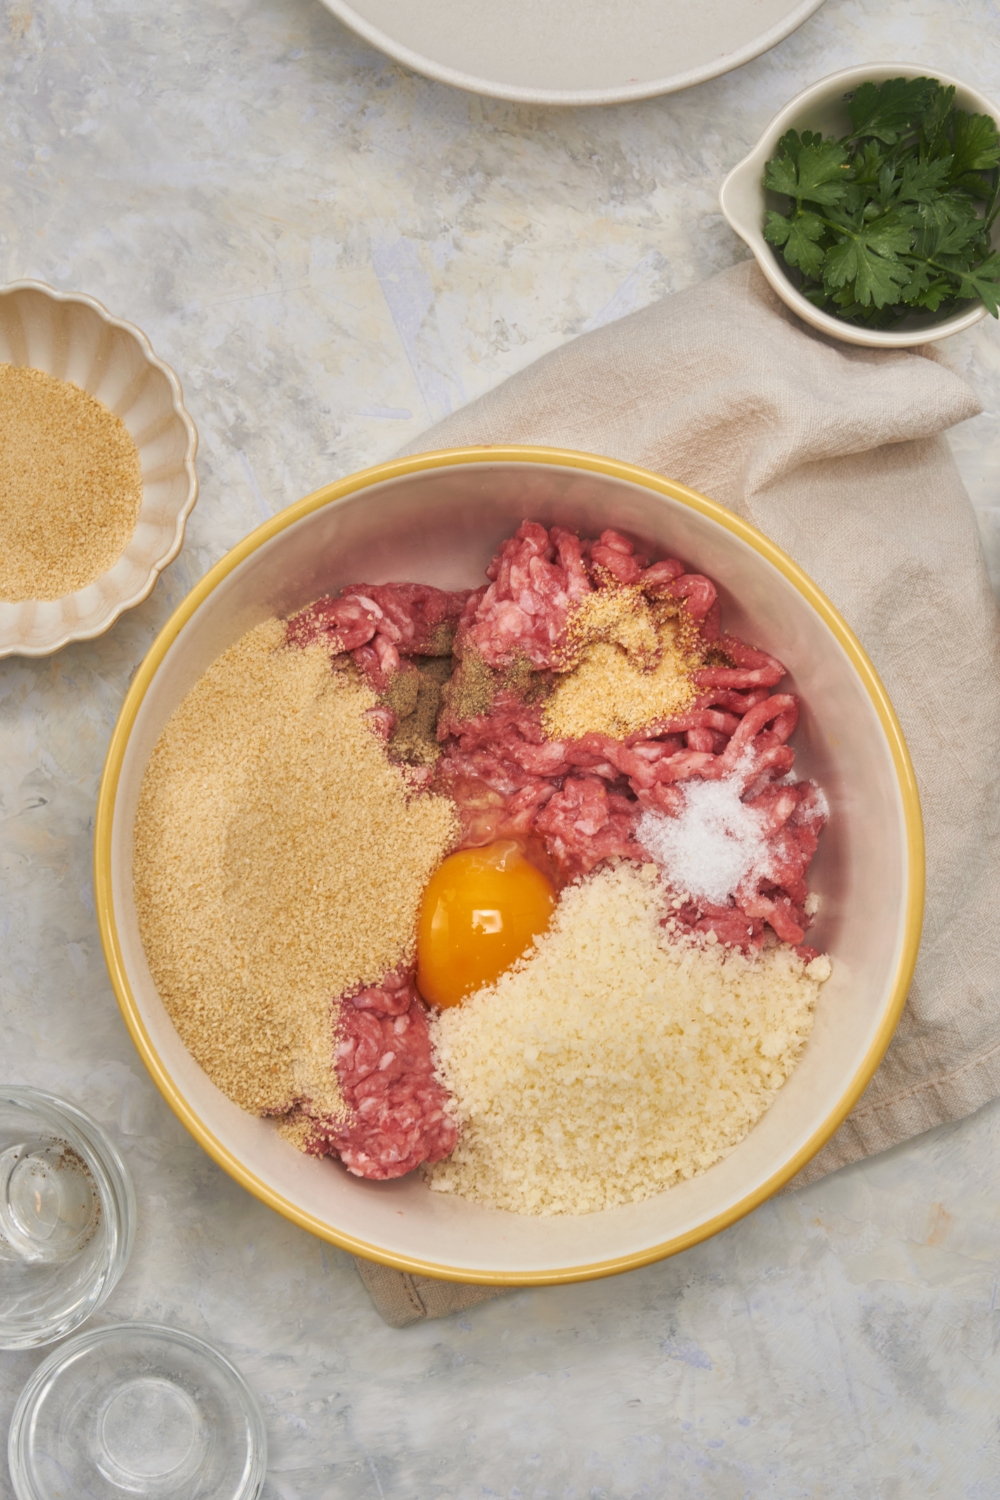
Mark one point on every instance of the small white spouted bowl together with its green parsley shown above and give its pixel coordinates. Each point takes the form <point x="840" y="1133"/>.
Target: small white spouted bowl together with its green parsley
<point x="873" y="206"/>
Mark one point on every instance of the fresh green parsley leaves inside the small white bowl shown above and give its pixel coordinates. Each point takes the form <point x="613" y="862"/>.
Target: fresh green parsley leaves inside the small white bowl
<point x="897" y="217"/>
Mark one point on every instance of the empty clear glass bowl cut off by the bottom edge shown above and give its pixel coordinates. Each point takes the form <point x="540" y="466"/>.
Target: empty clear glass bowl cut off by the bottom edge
<point x="140" y="1411"/>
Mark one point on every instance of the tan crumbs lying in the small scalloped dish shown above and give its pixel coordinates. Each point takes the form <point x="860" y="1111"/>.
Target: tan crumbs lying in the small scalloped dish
<point x="71" y="487"/>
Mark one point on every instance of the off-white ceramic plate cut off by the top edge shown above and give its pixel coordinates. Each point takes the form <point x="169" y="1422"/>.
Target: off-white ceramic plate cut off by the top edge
<point x="573" y="52"/>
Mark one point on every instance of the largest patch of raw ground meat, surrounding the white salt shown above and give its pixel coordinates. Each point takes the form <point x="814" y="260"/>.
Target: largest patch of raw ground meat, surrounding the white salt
<point x="581" y="800"/>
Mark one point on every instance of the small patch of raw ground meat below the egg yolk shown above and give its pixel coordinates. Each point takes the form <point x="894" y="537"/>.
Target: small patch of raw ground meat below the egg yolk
<point x="400" y="1112"/>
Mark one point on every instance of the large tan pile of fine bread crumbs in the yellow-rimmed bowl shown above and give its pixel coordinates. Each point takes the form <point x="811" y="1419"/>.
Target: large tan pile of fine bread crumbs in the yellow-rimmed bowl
<point x="280" y="862"/>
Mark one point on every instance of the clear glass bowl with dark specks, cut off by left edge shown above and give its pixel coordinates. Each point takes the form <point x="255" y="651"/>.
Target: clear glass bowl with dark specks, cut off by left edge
<point x="67" y="1217"/>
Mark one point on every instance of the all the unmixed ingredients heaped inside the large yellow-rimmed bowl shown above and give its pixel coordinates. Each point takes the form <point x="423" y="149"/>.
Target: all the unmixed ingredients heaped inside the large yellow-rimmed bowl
<point x="504" y="884"/>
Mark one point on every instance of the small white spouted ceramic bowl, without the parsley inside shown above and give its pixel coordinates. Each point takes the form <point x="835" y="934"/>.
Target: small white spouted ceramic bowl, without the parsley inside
<point x="824" y="107"/>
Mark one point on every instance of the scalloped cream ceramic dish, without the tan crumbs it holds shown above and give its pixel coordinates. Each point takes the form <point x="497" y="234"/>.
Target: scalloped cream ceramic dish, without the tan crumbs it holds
<point x="76" y="340"/>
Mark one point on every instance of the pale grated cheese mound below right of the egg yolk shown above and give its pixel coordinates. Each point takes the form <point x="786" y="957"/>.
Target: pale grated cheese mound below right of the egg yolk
<point x="617" y="1058"/>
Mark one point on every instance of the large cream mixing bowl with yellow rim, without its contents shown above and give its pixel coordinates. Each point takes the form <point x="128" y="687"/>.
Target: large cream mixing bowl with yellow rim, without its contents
<point x="439" y="518"/>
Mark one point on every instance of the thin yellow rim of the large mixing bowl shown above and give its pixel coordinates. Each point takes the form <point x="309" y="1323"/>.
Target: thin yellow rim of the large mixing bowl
<point x="507" y="455"/>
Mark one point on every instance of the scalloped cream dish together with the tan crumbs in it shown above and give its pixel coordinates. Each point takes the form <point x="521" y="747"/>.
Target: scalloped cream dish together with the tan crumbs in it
<point x="97" y="469"/>
